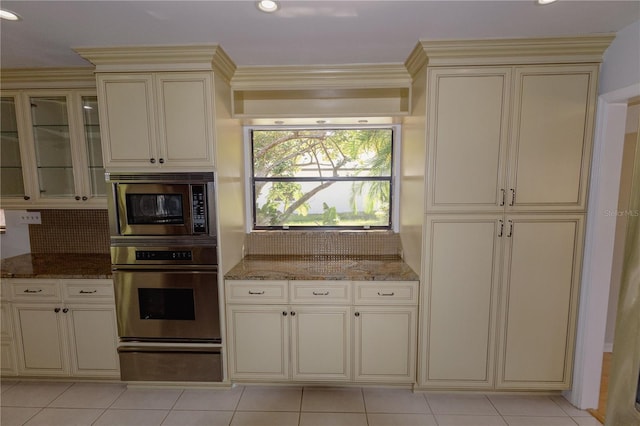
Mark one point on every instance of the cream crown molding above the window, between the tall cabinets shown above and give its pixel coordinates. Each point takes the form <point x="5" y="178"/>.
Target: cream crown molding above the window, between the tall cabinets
<point x="321" y="77"/>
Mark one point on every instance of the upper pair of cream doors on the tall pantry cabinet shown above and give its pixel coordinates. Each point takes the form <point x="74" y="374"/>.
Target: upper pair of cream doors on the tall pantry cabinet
<point x="514" y="138"/>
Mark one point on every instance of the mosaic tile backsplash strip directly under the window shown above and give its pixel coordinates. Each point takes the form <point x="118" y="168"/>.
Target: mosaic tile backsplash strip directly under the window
<point x="323" y="243"/>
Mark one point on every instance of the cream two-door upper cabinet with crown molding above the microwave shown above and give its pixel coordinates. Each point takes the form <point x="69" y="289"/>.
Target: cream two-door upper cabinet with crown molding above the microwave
<point x="157" y="105"/>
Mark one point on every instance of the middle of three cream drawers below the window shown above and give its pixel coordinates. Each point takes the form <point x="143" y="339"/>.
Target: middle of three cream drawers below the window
<point x="320" y="292"/>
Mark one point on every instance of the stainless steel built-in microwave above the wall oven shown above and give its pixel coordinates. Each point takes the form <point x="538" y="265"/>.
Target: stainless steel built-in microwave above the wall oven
<point x="174" y="204"/>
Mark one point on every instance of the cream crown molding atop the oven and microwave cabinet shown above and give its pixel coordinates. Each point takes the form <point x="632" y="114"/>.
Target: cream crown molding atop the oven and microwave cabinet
<point x="205" y="57"/>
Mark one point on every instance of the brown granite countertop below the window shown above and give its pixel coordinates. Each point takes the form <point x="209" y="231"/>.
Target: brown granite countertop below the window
<point x="325" y="267"/>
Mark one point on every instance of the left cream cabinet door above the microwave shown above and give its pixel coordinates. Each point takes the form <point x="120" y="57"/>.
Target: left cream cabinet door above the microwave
<point x="128" y="120"/>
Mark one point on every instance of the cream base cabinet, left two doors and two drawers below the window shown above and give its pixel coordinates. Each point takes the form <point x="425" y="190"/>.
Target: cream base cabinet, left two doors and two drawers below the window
<point x="276" y="337"/>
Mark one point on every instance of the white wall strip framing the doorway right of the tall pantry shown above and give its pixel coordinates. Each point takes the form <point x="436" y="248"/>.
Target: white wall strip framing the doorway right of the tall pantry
<point x="619" y="82"/>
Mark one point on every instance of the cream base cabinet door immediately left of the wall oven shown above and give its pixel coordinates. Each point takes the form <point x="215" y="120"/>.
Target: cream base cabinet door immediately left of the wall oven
<point x="93" y="340"/>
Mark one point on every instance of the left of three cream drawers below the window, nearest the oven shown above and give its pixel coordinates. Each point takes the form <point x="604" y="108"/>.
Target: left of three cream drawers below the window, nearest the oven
<point x="256" y="291"/>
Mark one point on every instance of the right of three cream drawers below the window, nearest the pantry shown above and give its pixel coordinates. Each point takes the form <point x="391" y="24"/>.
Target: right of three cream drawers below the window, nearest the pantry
<point x="386" y="293"/>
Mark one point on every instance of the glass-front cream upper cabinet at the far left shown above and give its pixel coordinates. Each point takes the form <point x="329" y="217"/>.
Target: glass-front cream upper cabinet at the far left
<point x="51" y="147"/>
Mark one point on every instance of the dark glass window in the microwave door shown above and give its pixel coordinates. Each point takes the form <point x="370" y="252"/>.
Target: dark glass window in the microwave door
<point x="155" y="209"/>
